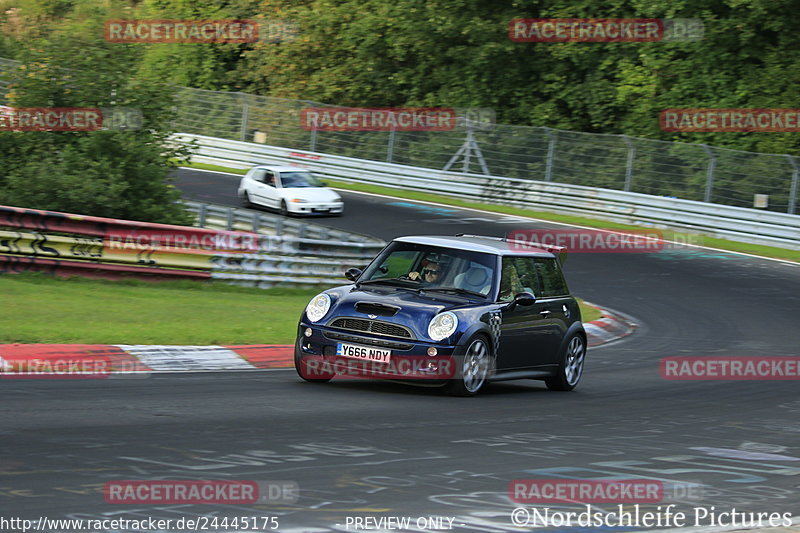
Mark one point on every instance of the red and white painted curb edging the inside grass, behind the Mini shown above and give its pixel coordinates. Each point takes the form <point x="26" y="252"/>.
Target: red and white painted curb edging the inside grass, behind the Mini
<point x="18" y="359"/>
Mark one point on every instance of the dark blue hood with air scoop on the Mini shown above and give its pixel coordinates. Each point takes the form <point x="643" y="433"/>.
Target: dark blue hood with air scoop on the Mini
<point x="415" y="310"/>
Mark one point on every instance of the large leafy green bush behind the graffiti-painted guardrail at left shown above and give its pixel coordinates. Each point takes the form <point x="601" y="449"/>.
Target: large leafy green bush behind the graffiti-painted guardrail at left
<point x="119" y="174"/>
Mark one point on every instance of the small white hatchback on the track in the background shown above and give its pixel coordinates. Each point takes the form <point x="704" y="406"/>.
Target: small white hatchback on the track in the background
<point x="290" y="190"/>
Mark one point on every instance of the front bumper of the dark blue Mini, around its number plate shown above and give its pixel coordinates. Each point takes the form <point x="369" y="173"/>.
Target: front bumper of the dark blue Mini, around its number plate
<point x="409" y="358"/>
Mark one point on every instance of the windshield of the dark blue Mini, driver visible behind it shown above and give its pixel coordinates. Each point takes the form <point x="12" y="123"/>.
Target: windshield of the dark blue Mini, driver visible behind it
<point x="433" y="268"/>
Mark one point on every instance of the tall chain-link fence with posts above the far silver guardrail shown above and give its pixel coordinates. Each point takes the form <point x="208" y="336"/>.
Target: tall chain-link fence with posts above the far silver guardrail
<point x="661" y="168"/>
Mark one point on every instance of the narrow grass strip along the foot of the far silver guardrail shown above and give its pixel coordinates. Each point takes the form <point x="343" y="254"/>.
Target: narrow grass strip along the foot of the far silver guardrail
<point x="711" y="242"/>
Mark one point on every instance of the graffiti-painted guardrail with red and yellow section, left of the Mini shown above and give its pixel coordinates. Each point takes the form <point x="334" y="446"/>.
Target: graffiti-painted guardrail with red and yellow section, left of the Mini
<point x="66" y="244"/>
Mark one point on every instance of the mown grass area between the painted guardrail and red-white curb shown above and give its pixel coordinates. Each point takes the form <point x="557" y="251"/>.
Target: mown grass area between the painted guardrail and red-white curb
<point x="39" y="308"/>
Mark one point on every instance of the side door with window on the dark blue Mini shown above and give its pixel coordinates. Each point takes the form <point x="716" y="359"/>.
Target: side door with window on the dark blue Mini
<point x="528" y="334"/>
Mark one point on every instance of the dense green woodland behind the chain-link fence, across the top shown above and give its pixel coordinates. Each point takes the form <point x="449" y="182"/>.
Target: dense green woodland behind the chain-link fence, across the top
<point x="453" y="53"/>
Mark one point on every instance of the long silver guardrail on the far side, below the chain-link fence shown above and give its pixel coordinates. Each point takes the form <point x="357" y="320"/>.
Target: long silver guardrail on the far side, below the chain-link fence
<point x="734" y="223"/>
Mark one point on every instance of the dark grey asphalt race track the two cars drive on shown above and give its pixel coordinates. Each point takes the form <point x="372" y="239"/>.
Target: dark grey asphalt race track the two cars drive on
<point x="371" y="449"/>
